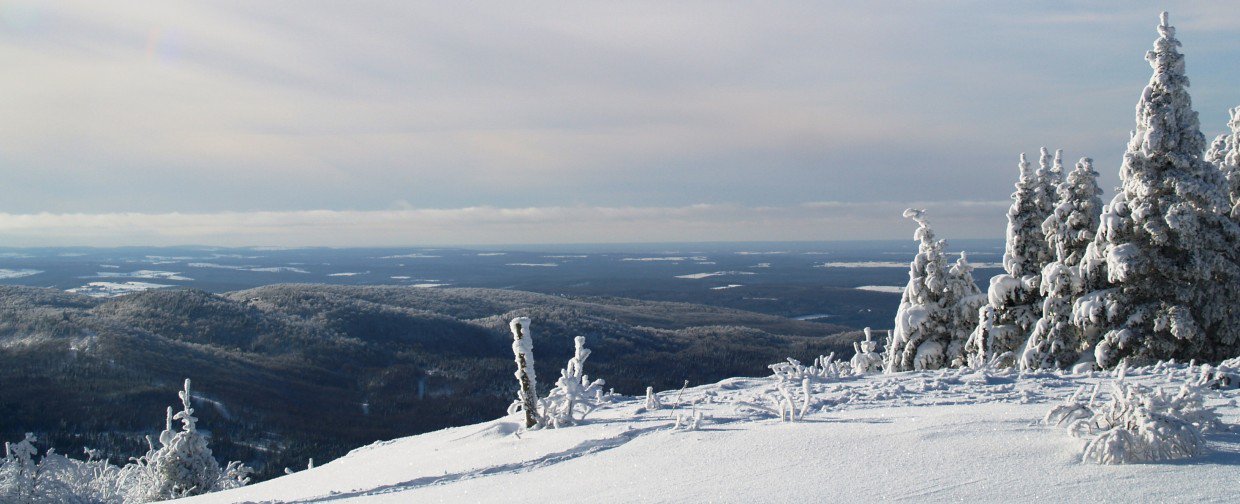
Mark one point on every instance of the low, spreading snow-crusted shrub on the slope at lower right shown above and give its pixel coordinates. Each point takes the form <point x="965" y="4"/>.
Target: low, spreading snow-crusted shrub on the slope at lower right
<point x="1139" y="424"/>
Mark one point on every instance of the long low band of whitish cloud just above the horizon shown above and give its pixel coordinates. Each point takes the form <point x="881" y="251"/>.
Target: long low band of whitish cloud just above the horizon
<point x="487" y="225"/>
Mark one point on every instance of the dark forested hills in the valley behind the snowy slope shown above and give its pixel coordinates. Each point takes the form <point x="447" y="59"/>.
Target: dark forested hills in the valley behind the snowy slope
<point x="287" y="373"/>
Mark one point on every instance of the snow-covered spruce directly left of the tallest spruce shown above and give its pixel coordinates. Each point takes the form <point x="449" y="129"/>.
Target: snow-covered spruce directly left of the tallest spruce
<point x="1056" y="342"/>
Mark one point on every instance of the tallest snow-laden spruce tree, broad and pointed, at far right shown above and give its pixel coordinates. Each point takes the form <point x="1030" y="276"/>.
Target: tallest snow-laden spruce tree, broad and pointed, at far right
<point x="1165" y="253"/>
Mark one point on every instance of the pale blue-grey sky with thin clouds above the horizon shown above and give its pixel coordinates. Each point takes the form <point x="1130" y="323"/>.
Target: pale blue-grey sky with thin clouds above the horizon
<point x="407" y="124"/>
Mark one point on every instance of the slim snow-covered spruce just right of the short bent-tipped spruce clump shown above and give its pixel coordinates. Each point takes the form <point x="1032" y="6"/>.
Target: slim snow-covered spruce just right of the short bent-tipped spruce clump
<point x="1015" y="295"/>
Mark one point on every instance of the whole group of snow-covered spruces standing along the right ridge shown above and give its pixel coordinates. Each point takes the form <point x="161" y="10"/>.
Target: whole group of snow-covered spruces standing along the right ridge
<point x="1151" y="276"/>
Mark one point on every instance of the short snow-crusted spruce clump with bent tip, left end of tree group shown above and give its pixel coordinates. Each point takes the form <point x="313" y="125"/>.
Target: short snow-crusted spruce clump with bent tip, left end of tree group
<point x="927" y="325"/>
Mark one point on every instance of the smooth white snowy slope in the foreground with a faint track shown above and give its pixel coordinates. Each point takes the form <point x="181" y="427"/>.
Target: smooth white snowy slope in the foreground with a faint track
<point x="944" y="436"/>
